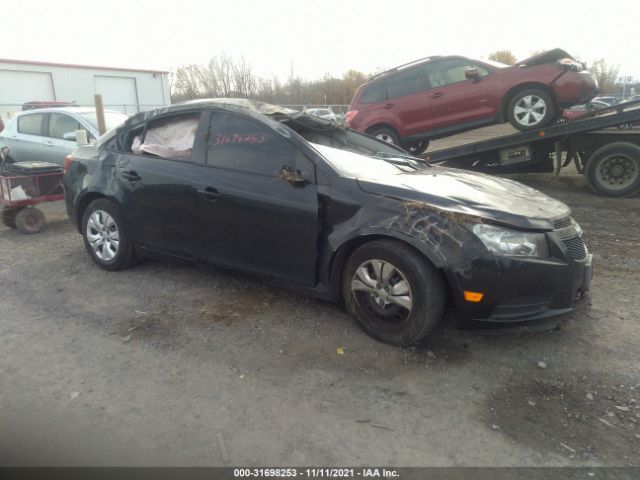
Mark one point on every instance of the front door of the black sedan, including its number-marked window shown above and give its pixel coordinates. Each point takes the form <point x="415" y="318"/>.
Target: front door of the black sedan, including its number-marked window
<point x="252" y="218"/>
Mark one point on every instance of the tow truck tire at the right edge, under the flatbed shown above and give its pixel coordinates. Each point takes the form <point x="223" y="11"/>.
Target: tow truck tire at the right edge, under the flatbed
<point x="614" y="170"/>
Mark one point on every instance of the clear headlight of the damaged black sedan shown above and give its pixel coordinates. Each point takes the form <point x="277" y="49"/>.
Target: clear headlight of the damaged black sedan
<point x="502" y="241"/>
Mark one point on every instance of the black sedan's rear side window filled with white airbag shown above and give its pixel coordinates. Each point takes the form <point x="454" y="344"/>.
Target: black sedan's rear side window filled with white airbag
<point x="170" y="137"/>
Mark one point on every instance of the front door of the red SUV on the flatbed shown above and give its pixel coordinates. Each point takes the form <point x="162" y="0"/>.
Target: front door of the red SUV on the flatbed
<point x="456" y="100"/>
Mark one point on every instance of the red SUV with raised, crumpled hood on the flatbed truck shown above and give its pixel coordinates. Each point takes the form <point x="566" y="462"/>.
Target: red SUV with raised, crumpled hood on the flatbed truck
<point x="439" y="96"/>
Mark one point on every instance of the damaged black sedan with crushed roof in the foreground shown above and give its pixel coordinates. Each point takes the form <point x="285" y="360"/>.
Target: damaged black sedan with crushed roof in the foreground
<point x="308" y="204"/>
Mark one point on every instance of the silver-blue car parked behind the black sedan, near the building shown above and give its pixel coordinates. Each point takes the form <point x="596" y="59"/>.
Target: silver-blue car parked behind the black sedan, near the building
<point x="49" y="134"/>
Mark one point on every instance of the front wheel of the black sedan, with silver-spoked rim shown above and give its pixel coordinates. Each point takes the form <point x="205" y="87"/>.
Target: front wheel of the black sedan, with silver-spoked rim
<point x="368" y="297"/>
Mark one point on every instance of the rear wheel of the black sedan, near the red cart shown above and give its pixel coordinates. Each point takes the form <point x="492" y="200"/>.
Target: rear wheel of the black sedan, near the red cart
<point x="106" y="237"/>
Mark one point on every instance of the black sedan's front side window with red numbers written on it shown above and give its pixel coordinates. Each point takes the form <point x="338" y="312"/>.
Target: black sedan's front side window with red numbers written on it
<point x="240" y="143"/>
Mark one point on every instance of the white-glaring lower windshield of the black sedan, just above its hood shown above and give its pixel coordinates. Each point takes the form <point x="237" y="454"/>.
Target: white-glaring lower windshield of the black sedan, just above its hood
<point x="353" y="165"/>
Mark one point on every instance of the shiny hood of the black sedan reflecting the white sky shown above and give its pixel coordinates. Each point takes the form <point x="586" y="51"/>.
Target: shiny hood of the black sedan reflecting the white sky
<point x="500" y="200"/>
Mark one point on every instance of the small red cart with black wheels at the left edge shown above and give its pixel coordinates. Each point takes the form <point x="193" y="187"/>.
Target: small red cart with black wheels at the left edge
<point x="24" y="185"/>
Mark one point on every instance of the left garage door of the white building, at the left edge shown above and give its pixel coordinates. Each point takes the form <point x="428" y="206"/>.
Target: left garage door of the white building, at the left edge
<point x="18" y="87"/>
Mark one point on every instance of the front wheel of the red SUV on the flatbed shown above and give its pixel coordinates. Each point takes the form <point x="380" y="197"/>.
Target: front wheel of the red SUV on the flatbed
<point x="530" y="109"/>
